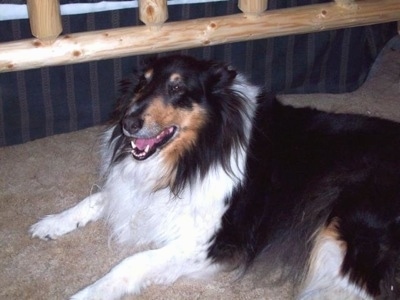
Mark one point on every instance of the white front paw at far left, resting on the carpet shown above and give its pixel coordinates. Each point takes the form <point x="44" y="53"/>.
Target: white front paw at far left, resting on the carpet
<point x="51" y="227"/>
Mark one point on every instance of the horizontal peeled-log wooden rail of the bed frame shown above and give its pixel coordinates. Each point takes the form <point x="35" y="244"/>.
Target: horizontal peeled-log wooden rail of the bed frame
<point x="120" y="42"/>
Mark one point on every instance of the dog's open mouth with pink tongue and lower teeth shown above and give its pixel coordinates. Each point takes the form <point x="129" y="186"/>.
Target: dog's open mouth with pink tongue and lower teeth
<point x="143" y="148"/>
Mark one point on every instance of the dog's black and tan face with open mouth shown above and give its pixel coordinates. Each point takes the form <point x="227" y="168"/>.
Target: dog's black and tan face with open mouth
<point x="169" y="105"/>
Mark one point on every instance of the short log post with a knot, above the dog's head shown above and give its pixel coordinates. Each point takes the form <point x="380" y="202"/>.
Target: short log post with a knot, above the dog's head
<point x="153" y="13"/>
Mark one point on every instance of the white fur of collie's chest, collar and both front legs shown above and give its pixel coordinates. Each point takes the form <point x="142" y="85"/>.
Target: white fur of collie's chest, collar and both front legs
<point x="178" y="229"/>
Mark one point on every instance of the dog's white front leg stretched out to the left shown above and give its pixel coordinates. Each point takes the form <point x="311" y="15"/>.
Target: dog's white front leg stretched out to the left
<point x="53" y="226"/>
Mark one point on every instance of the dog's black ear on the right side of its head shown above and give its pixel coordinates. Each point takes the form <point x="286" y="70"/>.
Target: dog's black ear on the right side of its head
<point x="220" y="76"/>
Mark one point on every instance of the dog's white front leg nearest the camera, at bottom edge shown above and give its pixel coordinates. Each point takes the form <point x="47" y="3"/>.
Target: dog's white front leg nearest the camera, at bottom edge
<point x="160" y="266"/>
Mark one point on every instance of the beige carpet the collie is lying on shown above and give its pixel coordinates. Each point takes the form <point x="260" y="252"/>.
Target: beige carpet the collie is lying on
<point x="51" y="174"/>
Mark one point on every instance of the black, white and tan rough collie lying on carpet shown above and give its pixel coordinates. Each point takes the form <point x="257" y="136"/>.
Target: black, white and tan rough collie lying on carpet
<point x="211" y="172"/>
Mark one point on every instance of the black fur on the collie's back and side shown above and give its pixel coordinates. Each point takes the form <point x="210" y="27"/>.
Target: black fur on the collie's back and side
<point x="306" y="169"/>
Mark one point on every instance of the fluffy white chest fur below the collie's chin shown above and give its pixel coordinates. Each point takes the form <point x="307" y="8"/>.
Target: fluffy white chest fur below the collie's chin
<point x="140" y="215"/>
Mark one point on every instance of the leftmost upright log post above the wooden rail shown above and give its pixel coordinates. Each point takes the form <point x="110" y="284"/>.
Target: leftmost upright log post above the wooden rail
<point x="45" y="19"/>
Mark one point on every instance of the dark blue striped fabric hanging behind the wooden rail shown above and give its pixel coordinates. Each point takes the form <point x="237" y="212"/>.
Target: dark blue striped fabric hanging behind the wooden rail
<point x="47" y="101"/>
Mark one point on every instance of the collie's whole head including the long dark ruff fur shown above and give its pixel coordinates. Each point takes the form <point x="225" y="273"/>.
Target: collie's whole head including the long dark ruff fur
<point x="192" y="115"/>
